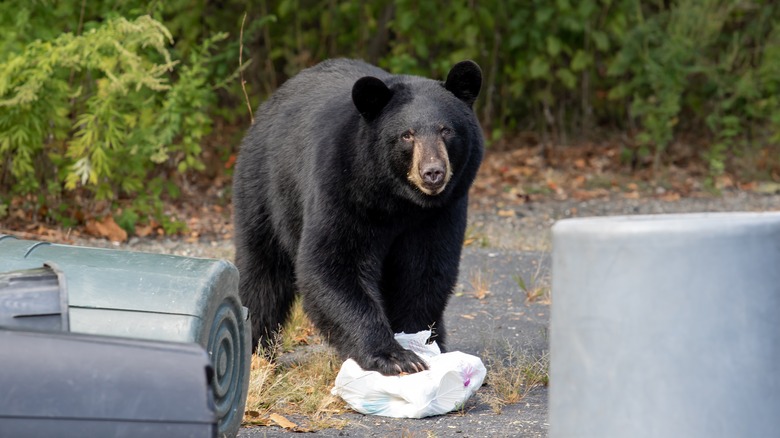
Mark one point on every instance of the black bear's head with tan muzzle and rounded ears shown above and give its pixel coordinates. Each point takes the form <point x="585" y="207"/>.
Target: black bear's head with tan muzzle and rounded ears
<point x="427" y="128"/>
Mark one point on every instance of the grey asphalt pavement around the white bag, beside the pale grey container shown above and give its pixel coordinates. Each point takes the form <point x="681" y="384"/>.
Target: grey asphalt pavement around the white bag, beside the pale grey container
<point x="481" y="324"/>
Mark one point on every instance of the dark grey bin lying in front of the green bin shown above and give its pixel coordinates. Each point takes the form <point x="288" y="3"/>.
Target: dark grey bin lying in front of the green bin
<point x="73" y="385"/>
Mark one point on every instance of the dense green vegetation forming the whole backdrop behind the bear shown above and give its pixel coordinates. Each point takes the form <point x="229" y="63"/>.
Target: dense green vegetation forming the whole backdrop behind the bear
<point x="109" y="103"/>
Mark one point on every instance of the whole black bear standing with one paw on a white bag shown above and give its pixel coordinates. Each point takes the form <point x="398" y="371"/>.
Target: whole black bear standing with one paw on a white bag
<point x="351" y="187"/>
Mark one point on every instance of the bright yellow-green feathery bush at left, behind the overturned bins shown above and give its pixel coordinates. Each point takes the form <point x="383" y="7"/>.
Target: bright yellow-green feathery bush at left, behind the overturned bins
<point x="97" y="112"/>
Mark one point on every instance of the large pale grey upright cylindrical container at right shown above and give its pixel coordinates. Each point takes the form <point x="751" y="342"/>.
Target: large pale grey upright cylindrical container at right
<point x="666" y="326"/>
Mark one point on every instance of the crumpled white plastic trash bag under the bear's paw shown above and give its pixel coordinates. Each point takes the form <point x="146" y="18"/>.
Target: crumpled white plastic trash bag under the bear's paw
<point x="448" y="383"/>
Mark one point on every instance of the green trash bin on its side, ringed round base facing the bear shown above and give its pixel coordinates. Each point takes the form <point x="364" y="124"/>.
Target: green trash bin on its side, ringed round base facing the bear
<point x="157" y="297"/>
